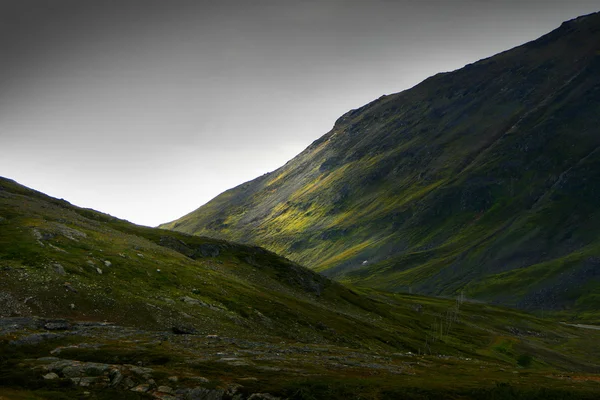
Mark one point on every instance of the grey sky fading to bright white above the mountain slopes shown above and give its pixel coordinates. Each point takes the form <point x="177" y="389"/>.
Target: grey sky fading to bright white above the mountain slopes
<point x="147" y="109"/>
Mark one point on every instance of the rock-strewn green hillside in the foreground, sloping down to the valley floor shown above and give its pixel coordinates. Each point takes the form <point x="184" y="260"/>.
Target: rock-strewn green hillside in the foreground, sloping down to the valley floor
<point x="95" y="307"/>
